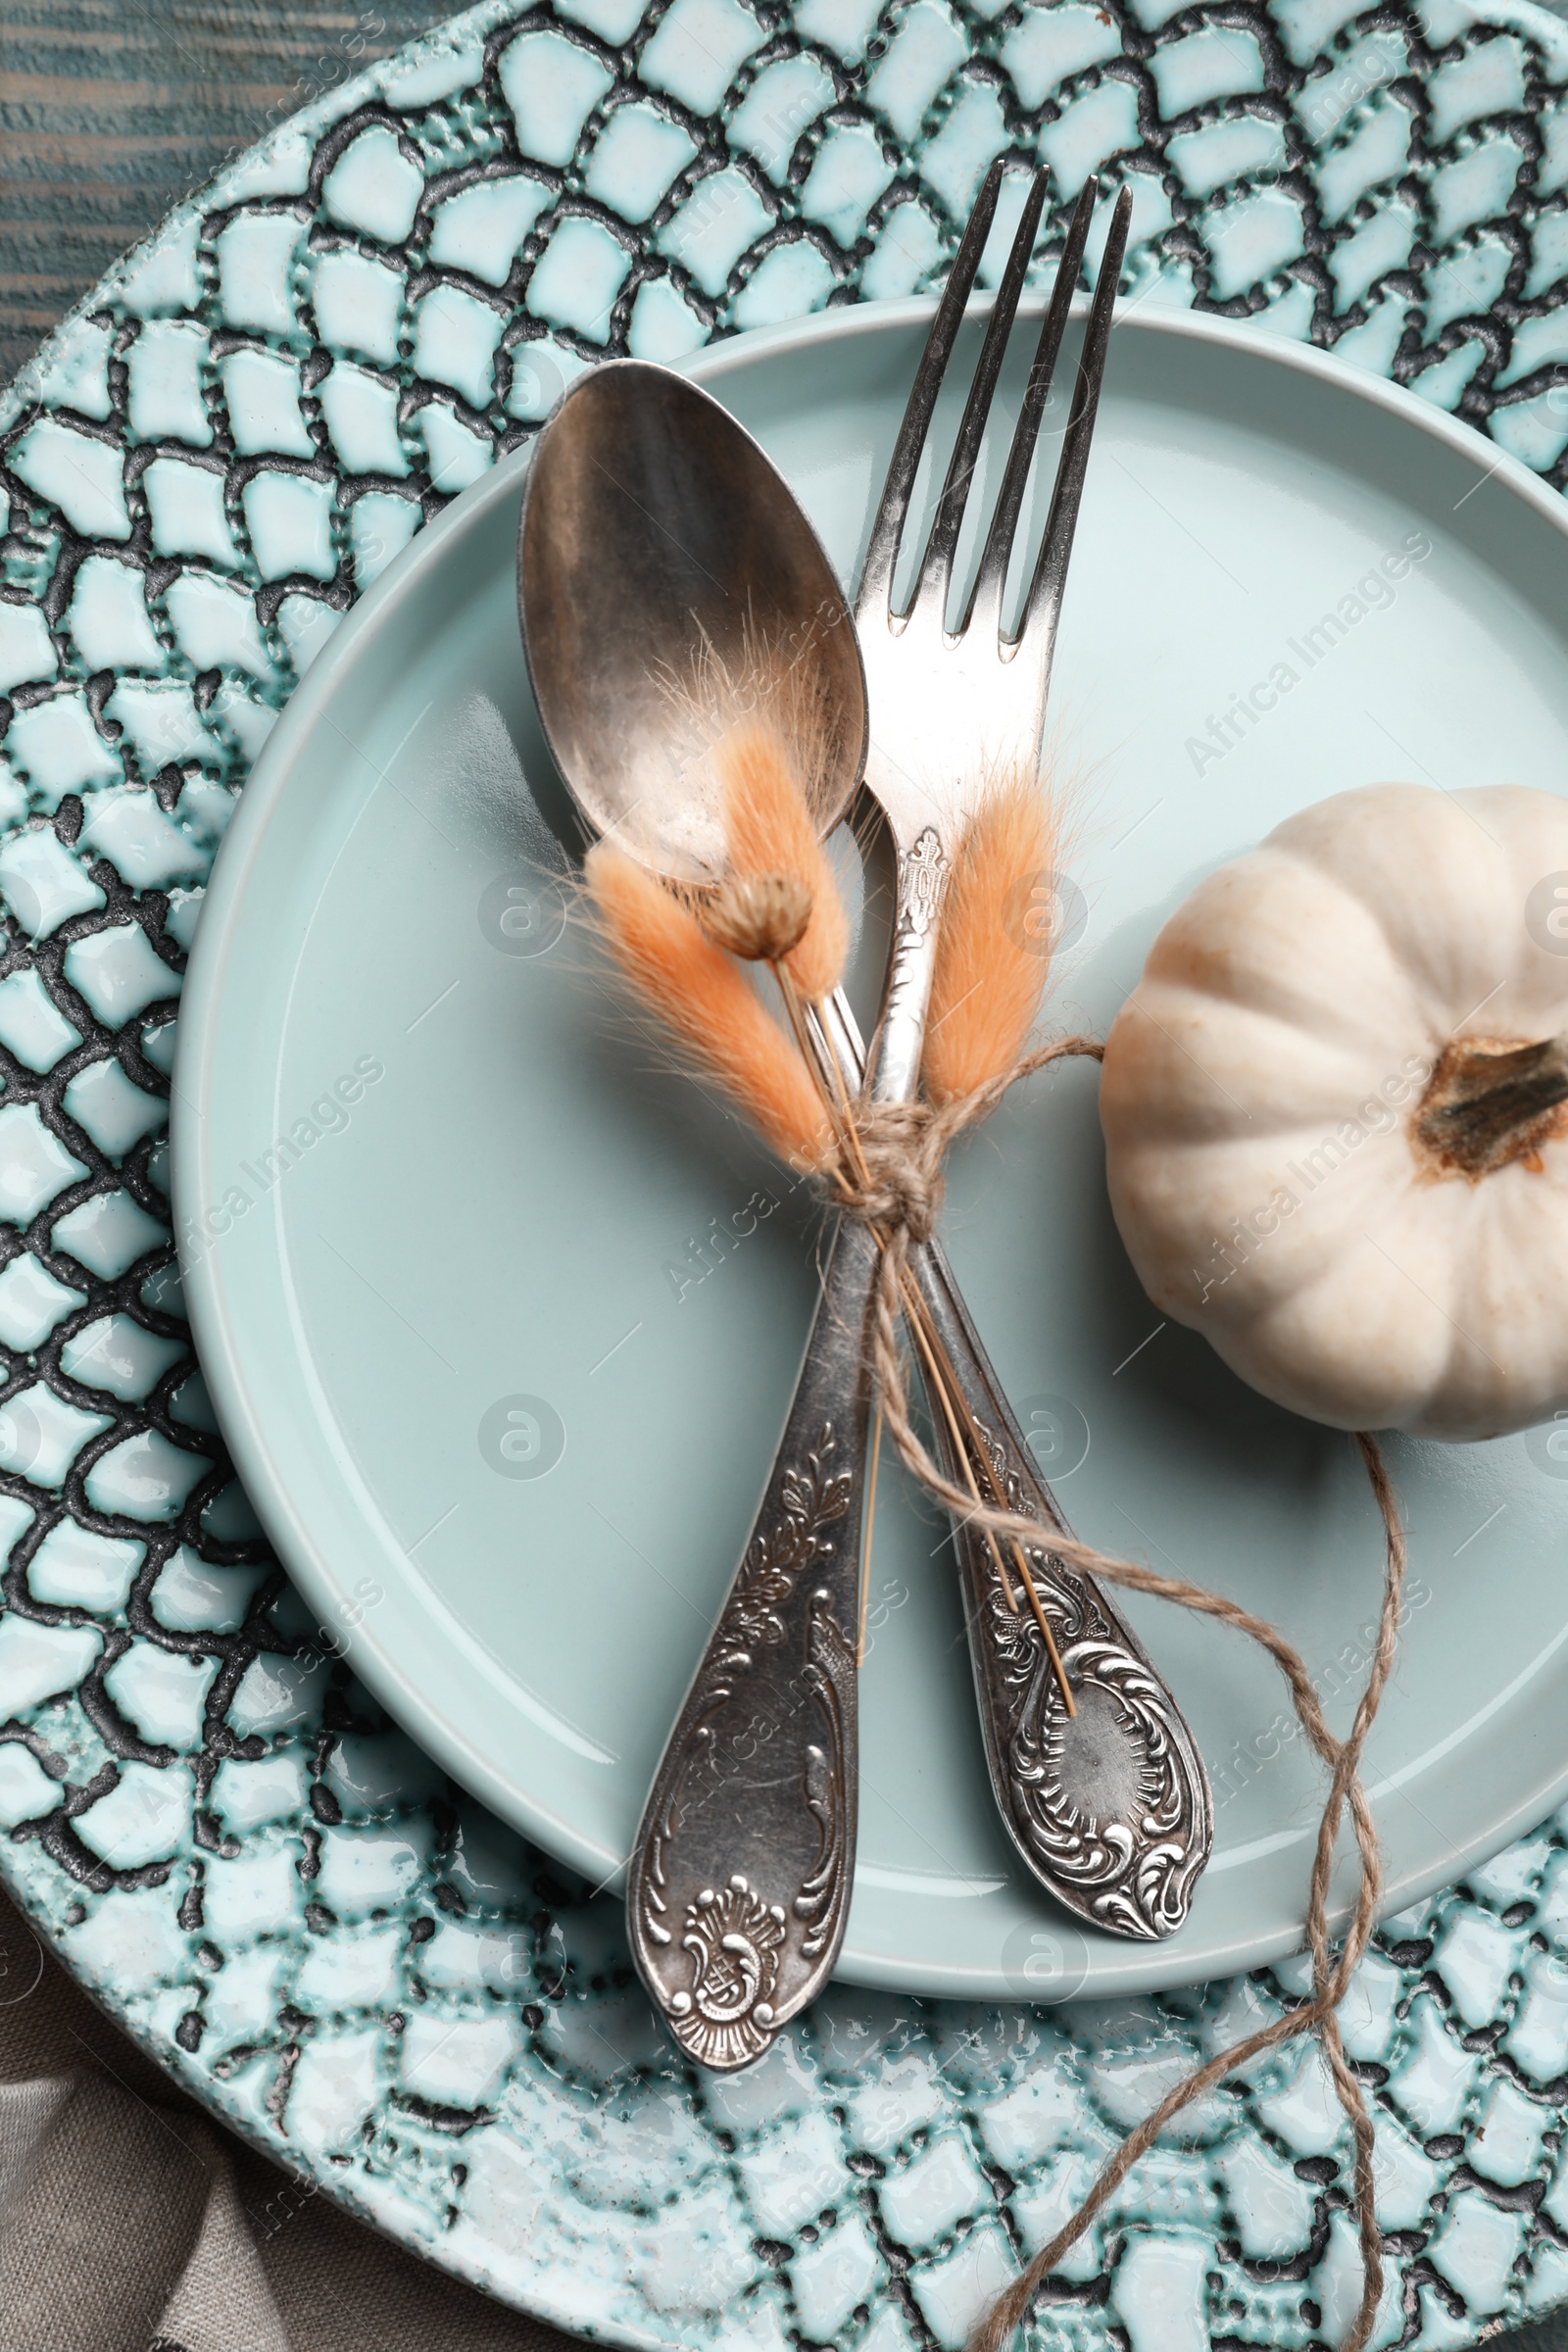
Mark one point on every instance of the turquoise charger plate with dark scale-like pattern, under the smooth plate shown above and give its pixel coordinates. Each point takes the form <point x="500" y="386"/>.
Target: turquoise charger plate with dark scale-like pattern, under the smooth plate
<point x="208" y="1815"/>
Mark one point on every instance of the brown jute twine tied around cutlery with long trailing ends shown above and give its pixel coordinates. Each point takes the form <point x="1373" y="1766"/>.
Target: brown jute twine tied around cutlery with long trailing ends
<point x="902" y="1149"/>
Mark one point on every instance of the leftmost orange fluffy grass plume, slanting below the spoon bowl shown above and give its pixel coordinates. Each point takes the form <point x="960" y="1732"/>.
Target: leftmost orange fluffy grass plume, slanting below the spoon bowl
<point x="706" y="1003"/>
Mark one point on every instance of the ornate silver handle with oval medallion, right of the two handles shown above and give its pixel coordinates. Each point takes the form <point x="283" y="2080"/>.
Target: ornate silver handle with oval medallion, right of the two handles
<point x="1108" y="1808"/>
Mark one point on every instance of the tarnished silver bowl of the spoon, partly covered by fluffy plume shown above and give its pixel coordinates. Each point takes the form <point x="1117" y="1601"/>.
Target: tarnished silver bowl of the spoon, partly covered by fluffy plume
<point x="669" y="584"/>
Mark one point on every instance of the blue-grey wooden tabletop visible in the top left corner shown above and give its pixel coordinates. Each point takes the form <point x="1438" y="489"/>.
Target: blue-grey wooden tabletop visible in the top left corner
<point x="112" y="112"/>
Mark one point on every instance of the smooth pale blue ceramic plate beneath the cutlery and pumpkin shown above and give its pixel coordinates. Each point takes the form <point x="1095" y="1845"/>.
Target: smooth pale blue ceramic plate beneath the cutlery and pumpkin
<point x="502" y="1321"/>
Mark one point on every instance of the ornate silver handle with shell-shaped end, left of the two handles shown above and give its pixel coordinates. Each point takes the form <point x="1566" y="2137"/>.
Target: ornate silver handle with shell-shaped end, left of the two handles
<point x="744" y="1862"/>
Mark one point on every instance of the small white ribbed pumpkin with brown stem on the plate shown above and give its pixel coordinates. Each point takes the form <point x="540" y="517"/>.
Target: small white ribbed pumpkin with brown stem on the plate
<point x="1313" y="1151"/>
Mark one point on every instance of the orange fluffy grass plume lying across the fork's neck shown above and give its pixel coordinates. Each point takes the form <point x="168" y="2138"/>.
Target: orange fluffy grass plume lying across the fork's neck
<point x="996" y="947"/>
